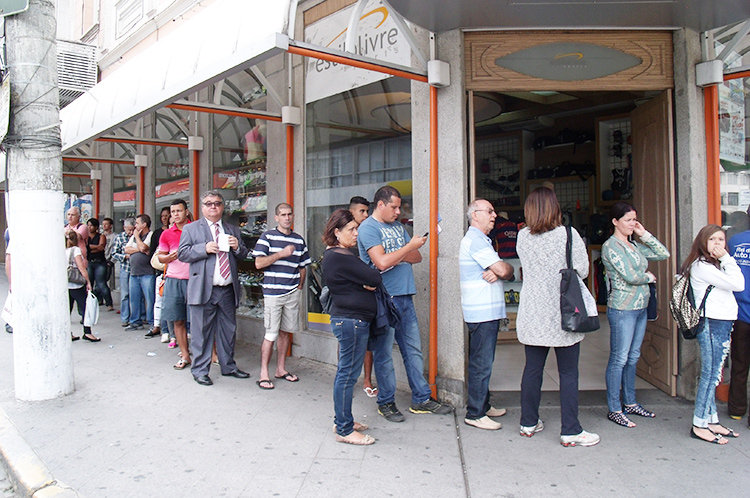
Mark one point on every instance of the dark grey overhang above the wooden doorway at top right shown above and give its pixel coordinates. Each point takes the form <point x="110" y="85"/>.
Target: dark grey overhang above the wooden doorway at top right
<point x="700" y="15"/>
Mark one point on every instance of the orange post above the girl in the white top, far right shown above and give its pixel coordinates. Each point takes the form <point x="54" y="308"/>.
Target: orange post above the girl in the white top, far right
<point x="711" y="112"/>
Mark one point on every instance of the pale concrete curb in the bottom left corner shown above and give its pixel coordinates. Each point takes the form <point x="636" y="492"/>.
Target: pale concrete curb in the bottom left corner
<point x="29" y="474"/>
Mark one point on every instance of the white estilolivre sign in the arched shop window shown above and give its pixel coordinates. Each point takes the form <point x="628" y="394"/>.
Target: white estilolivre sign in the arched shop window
<point x="378" y="37"/>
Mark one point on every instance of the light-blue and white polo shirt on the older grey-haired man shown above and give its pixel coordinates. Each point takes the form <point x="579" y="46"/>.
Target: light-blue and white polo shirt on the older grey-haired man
<point x="481" y="301"/>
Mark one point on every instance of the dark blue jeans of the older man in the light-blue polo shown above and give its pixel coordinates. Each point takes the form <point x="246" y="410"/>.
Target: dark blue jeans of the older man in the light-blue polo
<point x="482" y="342"/>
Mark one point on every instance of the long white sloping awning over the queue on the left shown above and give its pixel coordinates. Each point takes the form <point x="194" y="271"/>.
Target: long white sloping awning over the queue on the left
<point x="226" y="37"/>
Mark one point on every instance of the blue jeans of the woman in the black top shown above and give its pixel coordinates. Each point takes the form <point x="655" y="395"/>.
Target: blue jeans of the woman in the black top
<point x="352" y="335"/>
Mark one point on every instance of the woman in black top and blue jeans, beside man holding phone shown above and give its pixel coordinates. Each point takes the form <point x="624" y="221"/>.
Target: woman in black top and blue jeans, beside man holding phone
<point x="351" y="284"/>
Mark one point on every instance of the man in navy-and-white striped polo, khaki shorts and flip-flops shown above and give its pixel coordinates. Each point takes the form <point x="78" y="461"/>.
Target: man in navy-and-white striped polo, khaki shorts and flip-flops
<point x="284" y="257"/>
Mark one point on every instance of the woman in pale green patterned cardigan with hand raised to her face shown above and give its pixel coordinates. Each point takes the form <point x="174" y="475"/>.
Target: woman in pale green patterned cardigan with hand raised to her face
<point x="626" y="262"/>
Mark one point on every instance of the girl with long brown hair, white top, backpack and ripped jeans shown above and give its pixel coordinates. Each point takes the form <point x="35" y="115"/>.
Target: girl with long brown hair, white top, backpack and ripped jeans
<point x="710" y="264"/>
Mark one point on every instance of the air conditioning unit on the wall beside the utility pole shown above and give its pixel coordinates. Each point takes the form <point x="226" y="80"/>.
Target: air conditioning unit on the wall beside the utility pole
<point x="77" y="70"/>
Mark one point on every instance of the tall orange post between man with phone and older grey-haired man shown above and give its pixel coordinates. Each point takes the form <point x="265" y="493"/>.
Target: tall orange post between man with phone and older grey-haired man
<point x="433" y="239"/>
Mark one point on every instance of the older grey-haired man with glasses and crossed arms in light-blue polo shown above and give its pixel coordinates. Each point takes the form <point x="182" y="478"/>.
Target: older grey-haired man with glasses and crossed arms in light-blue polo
<point x="483" y="303"/>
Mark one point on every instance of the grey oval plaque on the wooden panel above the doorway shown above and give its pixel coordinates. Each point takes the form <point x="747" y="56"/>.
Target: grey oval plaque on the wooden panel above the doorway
<point x="568" y="61"/>
